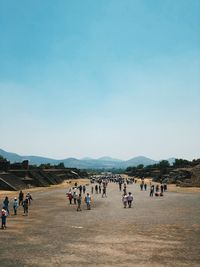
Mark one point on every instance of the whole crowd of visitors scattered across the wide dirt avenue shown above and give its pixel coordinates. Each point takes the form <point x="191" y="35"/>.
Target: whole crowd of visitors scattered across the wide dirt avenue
<point x="78" y="195"/>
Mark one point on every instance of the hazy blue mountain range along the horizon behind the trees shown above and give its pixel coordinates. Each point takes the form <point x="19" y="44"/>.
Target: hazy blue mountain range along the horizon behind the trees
<point x="85" y="163"/>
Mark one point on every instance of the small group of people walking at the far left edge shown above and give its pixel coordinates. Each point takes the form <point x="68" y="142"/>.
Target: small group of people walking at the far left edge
<point x="22" y="200"/>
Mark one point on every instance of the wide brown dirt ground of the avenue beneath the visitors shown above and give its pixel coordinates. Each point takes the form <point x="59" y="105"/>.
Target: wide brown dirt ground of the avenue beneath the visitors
<point x="154" y="232"/>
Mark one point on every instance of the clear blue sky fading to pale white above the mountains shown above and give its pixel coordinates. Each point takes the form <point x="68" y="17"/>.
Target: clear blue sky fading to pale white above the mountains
<point x="100" y="77"/>
